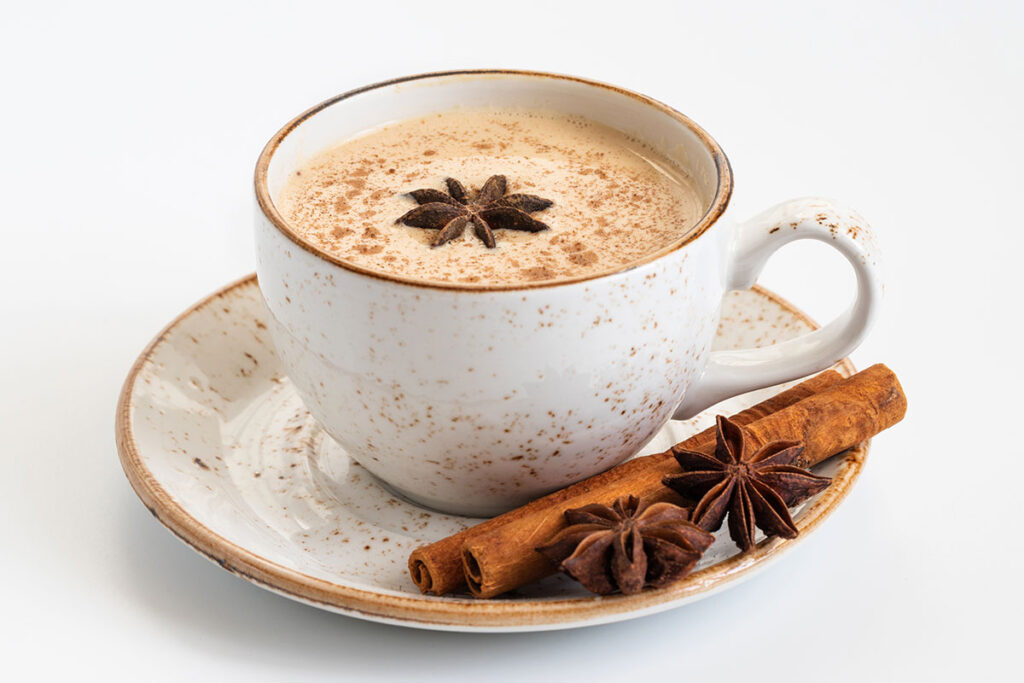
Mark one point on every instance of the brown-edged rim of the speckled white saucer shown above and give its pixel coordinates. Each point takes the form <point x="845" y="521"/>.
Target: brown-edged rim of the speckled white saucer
<point x="444" y="613"/>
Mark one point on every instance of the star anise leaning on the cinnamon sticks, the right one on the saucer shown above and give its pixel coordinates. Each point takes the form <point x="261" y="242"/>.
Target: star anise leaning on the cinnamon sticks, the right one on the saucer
<point x="756" y="490"/>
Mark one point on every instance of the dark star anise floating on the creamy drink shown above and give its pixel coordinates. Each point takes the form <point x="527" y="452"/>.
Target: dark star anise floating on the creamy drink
<point x="489" y="210"/>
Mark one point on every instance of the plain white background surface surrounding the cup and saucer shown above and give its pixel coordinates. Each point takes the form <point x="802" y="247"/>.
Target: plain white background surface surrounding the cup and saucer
<point x="130" y="137"/>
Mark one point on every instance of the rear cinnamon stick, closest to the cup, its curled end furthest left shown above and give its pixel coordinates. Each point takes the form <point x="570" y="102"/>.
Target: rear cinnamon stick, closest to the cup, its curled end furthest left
<point x="438" y="568"/>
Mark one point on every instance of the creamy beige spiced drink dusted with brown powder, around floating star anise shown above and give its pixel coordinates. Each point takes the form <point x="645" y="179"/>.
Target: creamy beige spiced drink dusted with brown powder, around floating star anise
<point x="616" y="201"/>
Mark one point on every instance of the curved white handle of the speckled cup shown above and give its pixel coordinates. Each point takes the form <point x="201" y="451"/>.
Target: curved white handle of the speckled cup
<point x="734" y="372"/>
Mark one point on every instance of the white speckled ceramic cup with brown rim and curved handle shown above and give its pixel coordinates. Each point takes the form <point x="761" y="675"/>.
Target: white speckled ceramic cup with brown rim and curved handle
<point x="474" y="400"/>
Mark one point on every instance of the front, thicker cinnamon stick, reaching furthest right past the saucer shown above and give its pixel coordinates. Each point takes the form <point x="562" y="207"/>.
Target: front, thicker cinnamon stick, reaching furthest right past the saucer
<point x="828" y="422"/>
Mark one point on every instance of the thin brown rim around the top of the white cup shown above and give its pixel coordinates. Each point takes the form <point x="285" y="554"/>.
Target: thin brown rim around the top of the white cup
<point x="718" y="205"/>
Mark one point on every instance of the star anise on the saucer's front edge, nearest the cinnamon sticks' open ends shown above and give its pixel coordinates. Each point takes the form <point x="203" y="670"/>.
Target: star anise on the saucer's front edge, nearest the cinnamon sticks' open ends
<point x="627" y="546"/>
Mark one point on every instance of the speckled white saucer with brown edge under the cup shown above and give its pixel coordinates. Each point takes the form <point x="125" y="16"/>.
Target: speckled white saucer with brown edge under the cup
<point x="220" y="448"/>
